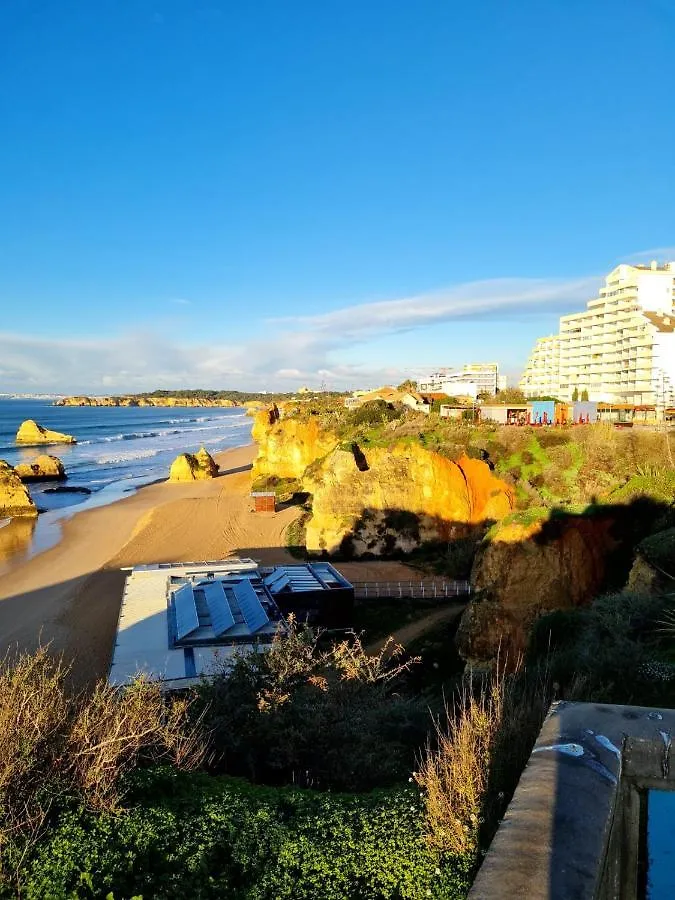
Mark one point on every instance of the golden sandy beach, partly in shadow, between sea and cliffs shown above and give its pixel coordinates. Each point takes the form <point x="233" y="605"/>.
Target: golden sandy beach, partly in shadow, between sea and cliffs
<point x="69" y="596"/>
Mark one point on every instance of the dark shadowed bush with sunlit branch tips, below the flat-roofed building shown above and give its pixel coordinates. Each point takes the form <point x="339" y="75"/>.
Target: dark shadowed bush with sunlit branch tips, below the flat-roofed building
<point x="335" y="718"/>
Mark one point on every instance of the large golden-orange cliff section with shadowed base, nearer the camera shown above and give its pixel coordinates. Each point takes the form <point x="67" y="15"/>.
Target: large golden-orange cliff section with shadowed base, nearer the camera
<point x="380" y="500"/>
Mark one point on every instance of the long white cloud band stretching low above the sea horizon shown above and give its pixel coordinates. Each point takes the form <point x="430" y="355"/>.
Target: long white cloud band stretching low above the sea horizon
<point x="298" y="350"/>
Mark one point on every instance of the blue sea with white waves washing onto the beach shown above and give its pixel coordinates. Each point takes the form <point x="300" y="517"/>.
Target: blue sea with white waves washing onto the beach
<point x="118" y="450"/>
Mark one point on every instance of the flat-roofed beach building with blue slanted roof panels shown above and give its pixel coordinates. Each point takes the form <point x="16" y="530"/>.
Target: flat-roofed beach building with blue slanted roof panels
<point x="181" y="622"/>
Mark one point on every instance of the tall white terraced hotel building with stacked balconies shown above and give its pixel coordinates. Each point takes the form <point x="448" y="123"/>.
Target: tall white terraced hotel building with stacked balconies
<point x="620" y="350"/>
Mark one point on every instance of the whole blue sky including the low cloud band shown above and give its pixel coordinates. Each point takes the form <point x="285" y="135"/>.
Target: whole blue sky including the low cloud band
<point x="269" y="193"/>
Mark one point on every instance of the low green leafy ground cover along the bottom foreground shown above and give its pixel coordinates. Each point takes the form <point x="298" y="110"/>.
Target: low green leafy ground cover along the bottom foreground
<point x="207" y="837"/>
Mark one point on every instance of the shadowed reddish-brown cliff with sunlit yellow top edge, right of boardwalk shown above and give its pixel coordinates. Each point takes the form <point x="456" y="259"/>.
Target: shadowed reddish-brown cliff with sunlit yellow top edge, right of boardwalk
<point x="524" y="569"/>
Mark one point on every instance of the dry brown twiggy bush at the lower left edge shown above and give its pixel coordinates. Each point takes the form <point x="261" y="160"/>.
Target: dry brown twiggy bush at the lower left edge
<point x="54" y="744"/>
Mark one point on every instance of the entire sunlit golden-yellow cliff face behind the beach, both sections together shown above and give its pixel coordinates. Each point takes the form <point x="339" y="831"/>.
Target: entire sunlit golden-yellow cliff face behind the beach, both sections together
<point x="377" y="499"/>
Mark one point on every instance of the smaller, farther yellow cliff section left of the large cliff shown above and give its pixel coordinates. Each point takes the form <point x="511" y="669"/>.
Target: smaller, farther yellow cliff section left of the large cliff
<point x="286" y="447"/>
